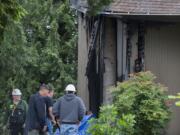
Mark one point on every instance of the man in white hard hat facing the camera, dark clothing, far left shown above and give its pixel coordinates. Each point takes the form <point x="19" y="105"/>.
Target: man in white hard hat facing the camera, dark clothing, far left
<point x="18" y="112"/>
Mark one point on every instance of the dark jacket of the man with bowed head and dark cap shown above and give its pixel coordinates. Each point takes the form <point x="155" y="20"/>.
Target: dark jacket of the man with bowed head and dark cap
<point x="36" y="118"/>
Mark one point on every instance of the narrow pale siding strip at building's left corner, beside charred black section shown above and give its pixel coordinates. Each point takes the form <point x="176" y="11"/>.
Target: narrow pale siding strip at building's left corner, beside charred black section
<point x="82" y="61"/>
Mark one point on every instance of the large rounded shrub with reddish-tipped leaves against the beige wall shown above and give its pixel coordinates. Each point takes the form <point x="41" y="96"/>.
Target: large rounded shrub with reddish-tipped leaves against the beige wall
<point x="142" y="97"/>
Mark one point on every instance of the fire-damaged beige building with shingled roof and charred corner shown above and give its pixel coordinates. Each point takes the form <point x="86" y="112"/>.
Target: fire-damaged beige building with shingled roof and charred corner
<point x="126" y="37"/>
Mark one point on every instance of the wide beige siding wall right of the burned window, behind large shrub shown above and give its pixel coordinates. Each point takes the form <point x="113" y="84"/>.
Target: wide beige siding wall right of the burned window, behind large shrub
<point x="162" y="57"/>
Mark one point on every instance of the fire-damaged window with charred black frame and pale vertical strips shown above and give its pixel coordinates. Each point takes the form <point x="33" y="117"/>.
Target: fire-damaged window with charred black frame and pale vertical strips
<point x="130" y="48"/>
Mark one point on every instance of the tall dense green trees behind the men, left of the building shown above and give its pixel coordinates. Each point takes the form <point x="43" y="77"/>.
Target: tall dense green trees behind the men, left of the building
<point x="38" y="48"/>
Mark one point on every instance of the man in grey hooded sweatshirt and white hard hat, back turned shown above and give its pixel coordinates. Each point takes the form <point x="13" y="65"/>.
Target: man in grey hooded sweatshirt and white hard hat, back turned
<point x="70" y="109"/>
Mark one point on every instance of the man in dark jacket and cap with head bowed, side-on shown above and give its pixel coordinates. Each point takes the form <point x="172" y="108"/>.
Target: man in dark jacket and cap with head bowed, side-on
<point x="36" y="119"/>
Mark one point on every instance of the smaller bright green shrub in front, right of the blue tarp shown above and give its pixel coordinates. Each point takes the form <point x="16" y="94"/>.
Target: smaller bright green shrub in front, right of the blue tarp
<point x="110" y="123"/>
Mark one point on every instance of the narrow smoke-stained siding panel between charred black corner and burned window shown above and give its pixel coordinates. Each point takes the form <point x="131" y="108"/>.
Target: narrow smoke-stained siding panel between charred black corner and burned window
<point x="109" y="58"/>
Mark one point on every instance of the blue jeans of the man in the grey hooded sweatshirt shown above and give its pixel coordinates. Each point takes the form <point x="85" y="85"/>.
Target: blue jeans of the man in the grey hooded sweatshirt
<point x="69" y="129"/>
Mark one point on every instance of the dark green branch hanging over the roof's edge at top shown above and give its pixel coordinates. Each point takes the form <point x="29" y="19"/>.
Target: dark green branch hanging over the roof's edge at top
<point x="97" y="5"/>
